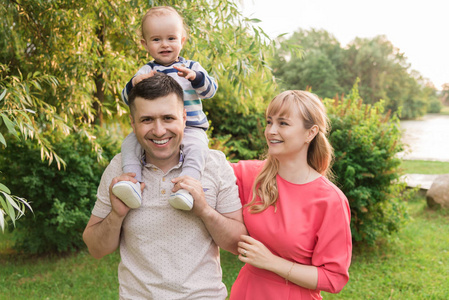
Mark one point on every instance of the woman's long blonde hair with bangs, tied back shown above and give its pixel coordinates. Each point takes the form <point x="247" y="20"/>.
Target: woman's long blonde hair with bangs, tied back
<point x="319" y="155"/>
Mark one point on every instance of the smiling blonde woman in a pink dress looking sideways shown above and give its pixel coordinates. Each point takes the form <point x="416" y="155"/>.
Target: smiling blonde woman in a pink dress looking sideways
<point x="298" y="221"/>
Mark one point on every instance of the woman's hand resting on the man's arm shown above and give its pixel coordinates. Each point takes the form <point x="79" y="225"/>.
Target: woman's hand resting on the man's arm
<point x="255" y="253"/>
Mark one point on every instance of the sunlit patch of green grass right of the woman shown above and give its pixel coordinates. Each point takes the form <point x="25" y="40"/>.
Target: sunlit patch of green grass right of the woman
<point x="411" y="265"/>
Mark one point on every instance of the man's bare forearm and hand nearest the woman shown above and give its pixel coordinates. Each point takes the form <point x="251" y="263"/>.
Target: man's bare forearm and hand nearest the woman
<point x="225" y="229"/>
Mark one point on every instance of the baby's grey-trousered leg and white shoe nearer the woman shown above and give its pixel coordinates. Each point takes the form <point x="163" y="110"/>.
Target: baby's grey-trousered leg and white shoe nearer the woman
<point x="195" y="152"/>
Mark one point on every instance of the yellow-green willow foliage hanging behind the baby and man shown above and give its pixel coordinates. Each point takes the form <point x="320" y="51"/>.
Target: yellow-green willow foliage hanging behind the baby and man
<point x="64" y="64"/>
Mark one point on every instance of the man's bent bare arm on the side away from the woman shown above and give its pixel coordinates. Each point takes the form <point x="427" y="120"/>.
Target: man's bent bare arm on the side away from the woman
<point x="102" y="236"/>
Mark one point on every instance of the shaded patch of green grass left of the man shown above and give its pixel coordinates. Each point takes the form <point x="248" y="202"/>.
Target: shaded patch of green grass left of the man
<point x="74" y="276"/>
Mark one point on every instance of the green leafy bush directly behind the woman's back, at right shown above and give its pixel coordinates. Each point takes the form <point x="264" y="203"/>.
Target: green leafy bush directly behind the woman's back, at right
<point x="366" y="167"/>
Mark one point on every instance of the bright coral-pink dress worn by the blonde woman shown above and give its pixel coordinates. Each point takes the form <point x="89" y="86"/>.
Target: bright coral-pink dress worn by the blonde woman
<point x="310" y="226"/>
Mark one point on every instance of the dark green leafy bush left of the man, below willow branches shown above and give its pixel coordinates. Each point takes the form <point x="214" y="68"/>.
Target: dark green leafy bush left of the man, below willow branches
<point x="62" y="200"/>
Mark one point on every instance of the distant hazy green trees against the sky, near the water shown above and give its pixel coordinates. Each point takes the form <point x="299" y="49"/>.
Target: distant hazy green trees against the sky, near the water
<point x="328" y="69"/>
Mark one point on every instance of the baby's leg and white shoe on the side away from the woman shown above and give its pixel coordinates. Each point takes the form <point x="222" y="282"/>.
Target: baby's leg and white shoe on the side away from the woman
<point x="127" y="191"/>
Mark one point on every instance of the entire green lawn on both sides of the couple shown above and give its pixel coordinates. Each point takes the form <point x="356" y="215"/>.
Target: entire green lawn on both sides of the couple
<point x="410" y="265"/>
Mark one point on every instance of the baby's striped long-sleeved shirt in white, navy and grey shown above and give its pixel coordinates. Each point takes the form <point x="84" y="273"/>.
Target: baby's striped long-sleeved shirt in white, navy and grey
<point x="203" y="87"/>
